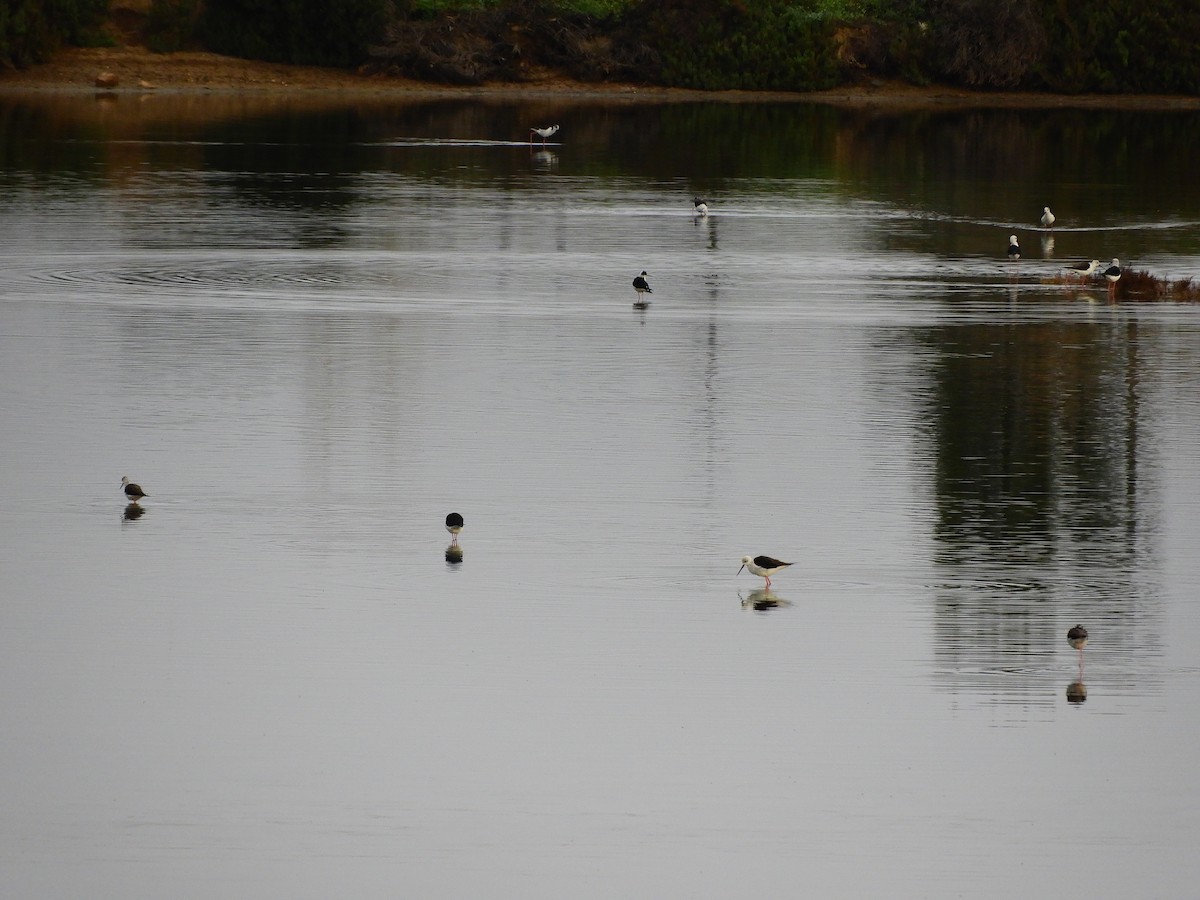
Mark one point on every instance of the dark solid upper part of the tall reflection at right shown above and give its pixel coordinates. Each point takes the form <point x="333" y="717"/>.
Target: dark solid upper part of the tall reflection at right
<point x="1037" y="433"/>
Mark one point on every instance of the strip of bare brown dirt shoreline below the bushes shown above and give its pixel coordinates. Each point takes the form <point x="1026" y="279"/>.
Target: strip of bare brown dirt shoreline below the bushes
<point x="140" y="71"/>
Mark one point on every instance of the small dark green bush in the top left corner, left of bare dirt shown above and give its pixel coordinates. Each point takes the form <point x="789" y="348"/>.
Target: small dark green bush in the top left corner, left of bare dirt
<point x="31" y="31"/>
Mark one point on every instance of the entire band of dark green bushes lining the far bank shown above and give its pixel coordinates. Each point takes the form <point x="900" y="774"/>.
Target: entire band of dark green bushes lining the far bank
<point x="1067" y="46"/>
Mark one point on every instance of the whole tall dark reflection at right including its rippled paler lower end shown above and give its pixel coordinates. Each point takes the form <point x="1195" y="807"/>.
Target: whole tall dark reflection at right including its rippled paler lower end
<point x="1042" y="508"/>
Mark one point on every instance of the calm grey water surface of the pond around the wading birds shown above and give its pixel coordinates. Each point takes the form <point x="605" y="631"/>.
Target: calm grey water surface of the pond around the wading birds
<point x="313" y="332"/>
